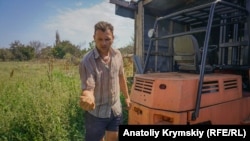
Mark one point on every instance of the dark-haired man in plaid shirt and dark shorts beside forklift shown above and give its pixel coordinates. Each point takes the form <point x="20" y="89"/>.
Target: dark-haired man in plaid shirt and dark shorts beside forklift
<point x="102" y="79"/>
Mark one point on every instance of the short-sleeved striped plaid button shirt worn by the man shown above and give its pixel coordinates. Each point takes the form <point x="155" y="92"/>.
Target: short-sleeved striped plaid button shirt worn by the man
<point x="104" y="80"/>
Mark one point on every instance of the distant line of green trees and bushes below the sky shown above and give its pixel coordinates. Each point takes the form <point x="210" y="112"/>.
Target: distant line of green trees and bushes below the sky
<point x="37" y="50"/>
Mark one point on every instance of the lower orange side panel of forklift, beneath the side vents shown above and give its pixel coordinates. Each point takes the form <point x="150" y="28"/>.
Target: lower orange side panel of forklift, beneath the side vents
<point x="233" y="112"/>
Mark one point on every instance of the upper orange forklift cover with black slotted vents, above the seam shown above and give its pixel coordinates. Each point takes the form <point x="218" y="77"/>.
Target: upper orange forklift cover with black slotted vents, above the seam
<point x="180" y="91"/>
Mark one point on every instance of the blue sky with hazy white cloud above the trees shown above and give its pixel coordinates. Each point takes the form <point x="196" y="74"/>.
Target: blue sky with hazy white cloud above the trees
<point x="39" y="20"/>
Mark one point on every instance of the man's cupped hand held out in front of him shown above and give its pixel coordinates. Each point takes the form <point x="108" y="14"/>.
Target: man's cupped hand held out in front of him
<point x="87" y="101"/>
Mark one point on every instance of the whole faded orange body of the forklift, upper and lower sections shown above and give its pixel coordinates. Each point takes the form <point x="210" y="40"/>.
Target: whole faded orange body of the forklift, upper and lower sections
<point x="170" y="98"/>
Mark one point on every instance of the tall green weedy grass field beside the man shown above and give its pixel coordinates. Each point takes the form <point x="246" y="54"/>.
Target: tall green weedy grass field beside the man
<point x="40" y="103"/>
